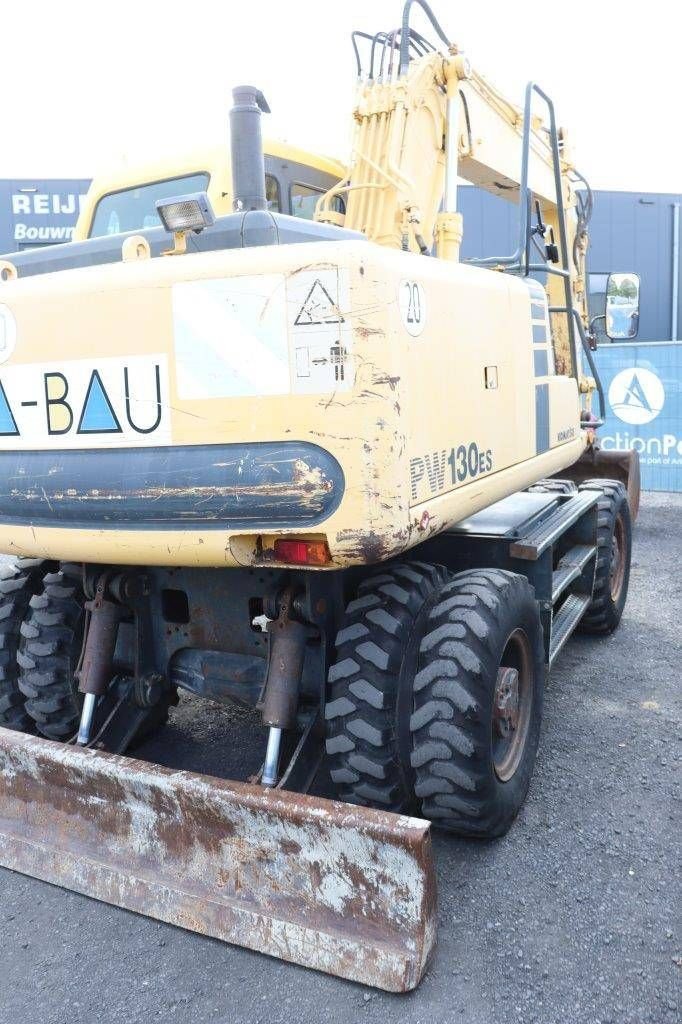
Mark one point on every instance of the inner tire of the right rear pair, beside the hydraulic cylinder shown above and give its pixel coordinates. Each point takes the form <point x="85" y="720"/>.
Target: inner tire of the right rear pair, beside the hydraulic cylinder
<point x="376" y="661"/>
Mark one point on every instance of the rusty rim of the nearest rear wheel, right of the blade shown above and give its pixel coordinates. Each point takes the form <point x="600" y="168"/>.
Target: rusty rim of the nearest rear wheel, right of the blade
<point x="513" y="703"/>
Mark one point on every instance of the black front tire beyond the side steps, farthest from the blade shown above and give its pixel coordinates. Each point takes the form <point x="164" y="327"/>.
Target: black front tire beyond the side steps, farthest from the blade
<point x="604" y="614"/>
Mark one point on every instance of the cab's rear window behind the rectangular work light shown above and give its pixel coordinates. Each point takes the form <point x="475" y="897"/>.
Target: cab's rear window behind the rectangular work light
<point x="134" y="209"/>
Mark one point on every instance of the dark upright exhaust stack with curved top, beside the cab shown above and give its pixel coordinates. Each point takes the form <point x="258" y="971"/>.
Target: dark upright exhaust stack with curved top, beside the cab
<point x="247" y="149"/>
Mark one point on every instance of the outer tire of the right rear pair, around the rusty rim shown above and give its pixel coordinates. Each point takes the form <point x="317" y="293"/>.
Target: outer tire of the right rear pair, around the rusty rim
<point x="452" y="723"/>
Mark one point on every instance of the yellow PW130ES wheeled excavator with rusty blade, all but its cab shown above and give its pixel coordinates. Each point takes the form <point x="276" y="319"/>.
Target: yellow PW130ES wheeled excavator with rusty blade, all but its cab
<point x="324" y="468"/>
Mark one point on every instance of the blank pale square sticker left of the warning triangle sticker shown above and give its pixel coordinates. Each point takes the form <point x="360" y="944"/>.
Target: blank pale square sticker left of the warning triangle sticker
<point x="231" y="337"/>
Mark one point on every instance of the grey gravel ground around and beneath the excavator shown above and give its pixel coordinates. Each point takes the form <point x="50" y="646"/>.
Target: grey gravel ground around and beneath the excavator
<point x="573" y="919"/>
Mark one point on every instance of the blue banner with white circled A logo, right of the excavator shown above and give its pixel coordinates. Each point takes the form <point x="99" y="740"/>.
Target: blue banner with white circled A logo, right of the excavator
<point x="644" y="392"/>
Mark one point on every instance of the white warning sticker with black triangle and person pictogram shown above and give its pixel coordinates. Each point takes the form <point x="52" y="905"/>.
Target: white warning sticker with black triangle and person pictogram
<point x="318" y="311"/>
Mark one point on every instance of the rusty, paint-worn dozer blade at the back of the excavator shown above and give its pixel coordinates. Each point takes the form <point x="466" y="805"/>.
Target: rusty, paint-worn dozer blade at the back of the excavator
<point x="343" y="889"/>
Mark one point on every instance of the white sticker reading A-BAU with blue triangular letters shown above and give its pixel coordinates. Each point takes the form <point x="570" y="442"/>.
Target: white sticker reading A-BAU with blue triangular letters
<point x="86" y="404"/>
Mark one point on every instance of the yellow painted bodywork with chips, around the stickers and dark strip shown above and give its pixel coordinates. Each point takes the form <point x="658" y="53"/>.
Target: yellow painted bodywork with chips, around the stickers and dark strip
<point x="413" y="398"/>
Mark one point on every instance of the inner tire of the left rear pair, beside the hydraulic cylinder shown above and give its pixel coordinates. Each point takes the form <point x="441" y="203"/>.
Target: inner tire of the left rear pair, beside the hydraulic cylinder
<point x="51" y="648"/>
